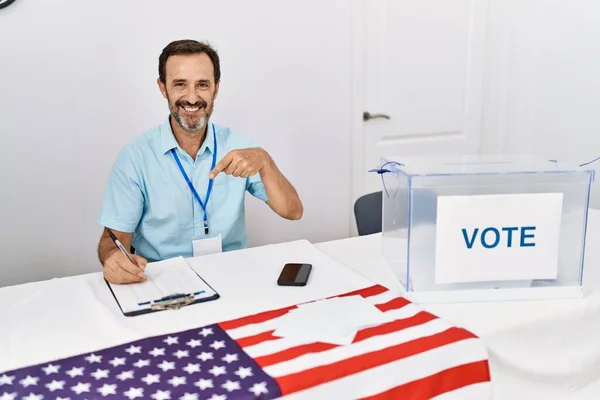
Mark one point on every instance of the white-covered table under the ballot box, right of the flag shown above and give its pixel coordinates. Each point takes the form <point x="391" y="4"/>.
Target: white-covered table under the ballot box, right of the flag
<point x="544" y="349"/>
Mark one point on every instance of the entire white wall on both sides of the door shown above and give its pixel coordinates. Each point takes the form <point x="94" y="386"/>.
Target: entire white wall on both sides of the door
<point x="77" y="81"/>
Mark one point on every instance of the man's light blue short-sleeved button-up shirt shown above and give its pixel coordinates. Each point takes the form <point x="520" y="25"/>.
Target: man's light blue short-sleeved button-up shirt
<point x="147" y="194"/>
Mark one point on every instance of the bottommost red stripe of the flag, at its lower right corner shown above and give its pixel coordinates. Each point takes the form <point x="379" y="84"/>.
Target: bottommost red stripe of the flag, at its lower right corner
<point x="437" y="384"/>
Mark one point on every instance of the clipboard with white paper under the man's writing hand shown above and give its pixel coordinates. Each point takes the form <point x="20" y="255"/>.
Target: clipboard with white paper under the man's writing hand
<point x="171" y="284"/>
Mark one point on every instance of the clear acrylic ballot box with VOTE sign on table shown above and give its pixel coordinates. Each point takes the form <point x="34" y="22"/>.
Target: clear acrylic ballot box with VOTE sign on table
<point x="479" y="228"/>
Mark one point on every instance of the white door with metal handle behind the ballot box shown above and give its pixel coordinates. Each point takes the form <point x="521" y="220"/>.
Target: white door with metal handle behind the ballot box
<point x="420" y="72"/>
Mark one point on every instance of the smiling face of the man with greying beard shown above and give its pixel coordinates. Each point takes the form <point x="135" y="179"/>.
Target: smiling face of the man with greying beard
<point x="190" y="90"/>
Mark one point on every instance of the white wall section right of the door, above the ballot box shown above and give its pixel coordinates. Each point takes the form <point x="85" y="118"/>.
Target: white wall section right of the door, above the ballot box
<point x="544" y="75"/>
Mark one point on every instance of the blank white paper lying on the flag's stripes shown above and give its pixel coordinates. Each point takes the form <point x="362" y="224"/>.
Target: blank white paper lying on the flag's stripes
<point x="335" y="320"/>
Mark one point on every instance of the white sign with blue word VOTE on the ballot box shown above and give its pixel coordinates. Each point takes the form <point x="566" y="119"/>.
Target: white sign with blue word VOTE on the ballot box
<point x="497" y="237"/>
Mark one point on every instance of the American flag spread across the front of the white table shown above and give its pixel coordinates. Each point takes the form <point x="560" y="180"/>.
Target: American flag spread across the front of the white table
<point x="416" y="356"/>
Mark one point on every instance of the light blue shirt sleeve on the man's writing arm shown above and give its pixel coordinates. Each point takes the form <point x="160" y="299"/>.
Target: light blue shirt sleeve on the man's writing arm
<point x="123" y="201"/>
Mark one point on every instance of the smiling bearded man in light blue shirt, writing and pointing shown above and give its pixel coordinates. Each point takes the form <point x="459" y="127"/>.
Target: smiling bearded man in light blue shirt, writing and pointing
<point x="179" y="188"/>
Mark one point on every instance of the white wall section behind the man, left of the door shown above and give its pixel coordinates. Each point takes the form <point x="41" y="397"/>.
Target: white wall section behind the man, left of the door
<point x="77" y="81"/>
